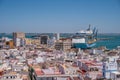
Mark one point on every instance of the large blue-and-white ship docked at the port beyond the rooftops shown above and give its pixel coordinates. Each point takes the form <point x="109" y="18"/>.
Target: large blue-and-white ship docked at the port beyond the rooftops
<point x="85" y="38"/>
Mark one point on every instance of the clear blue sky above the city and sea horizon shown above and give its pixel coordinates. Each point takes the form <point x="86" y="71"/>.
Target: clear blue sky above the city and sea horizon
<point x="63" y="16"/>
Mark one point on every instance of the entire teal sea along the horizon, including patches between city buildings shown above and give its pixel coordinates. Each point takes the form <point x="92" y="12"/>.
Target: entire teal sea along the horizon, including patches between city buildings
<point x="109" y="40"/>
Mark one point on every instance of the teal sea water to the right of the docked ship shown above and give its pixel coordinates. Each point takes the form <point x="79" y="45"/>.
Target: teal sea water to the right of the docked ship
<point x="111" y="42"/>
